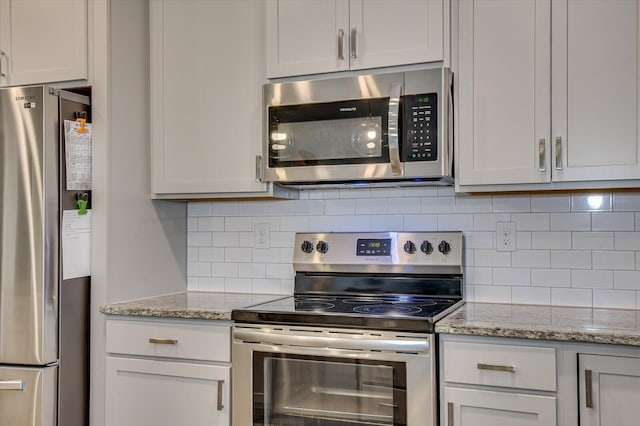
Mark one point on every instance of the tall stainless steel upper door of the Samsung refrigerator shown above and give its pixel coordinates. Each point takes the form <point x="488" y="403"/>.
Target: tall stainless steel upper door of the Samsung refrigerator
<point x="28" y="226"/>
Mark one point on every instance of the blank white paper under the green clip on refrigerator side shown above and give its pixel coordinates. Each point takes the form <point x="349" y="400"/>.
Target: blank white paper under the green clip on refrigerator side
<point x="76" y="244"/>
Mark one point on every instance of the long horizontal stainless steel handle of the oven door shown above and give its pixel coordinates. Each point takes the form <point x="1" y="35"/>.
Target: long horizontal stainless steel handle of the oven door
<point x="349" y="343"/>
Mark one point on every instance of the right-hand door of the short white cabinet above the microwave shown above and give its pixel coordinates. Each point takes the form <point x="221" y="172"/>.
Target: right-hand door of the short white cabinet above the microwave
<point x="385" y="33"/>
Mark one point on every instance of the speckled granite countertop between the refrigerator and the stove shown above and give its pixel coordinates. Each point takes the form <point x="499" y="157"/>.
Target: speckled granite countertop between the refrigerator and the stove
<point x="189" y="304"/>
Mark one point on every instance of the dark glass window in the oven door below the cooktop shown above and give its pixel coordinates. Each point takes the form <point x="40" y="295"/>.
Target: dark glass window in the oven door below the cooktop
<point x="297" y="390"/>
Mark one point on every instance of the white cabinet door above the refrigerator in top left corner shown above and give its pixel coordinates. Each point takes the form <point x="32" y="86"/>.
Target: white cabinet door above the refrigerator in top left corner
<point x="42" y="41"/>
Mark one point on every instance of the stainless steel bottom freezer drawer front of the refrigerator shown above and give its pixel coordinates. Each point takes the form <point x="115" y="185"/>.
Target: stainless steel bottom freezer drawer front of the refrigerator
<point x="28" y="396"/>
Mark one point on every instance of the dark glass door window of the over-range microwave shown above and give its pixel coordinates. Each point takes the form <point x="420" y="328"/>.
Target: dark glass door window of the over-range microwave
<point x="346" y="132"/>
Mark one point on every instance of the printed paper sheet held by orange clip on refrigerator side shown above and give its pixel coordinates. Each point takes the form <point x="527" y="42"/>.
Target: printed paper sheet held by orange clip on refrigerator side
<point x="78" y="149"/>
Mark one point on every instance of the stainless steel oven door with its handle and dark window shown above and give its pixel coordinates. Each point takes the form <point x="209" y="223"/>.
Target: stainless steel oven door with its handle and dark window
<point x="311" y="376"/>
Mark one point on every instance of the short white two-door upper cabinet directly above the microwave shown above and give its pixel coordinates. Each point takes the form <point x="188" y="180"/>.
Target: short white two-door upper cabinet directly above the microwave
<point x="319" y="36"/>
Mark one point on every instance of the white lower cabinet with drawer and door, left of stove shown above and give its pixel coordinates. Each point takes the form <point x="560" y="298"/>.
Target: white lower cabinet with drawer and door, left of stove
<point x="168" y="372"/>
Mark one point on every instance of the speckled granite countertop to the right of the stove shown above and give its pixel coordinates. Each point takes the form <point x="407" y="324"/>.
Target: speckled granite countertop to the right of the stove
<point x="587" y="325"/>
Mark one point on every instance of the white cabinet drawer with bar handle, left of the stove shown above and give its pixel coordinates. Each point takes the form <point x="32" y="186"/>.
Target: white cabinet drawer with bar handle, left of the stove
<point x="208" y="342"/>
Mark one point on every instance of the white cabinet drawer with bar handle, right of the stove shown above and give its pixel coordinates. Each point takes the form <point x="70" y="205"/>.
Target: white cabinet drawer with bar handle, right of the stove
<point x="511" y="366"/>
